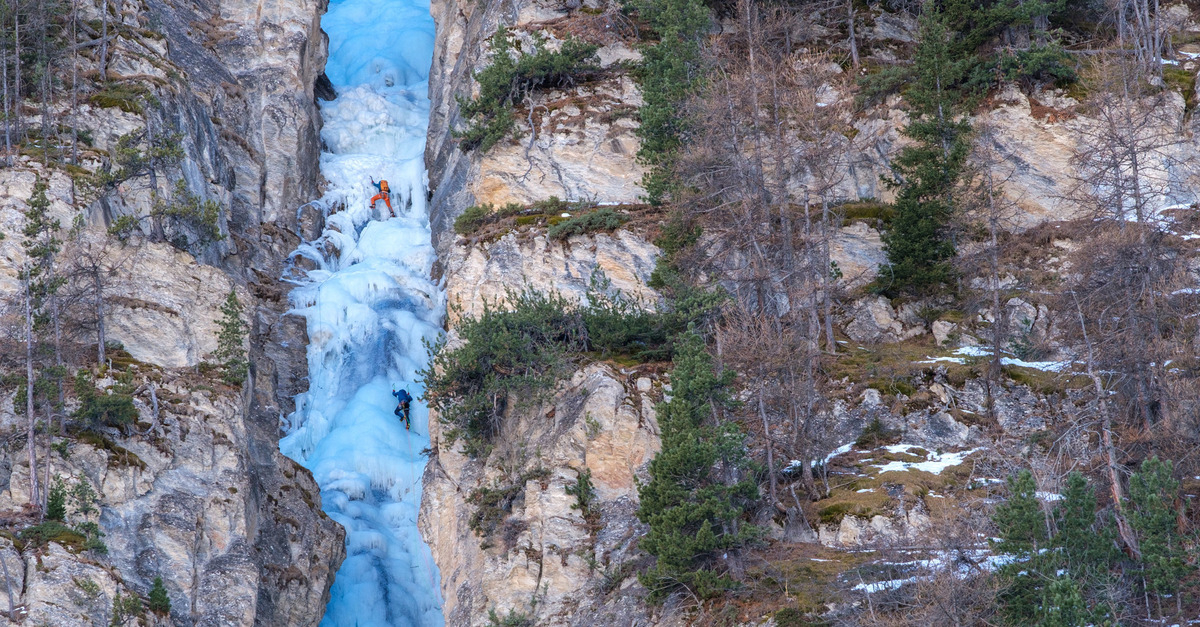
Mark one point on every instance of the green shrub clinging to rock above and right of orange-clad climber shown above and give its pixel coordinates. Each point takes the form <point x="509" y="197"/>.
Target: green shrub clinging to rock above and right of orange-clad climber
<point x="512" y="77"/>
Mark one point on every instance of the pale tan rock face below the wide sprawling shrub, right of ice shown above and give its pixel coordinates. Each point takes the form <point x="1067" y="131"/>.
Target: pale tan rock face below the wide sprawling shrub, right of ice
<point x="545" y="559"/>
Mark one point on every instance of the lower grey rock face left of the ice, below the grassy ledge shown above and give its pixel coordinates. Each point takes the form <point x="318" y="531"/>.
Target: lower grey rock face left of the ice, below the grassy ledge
<point x="177" y="501"/>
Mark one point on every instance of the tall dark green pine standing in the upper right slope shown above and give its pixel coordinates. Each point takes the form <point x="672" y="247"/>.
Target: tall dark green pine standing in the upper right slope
<point x="919" y="243"/>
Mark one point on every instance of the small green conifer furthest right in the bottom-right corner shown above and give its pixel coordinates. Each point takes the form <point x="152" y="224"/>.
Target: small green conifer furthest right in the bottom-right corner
<point x="1155" y="515"/>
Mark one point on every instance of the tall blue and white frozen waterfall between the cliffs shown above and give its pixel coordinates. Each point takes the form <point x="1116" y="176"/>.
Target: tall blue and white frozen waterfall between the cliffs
<point x="370" y="303"/>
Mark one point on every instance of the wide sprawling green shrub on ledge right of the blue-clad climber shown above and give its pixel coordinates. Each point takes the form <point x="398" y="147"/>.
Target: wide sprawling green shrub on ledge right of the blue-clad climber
<point x="517" y="355"/>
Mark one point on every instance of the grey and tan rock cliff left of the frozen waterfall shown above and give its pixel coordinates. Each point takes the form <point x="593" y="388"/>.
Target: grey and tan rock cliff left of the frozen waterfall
<point x="197" y="493"/>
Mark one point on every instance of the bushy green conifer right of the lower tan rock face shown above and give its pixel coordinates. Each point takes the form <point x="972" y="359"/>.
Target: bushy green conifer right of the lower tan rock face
<point x="694" y="512"/>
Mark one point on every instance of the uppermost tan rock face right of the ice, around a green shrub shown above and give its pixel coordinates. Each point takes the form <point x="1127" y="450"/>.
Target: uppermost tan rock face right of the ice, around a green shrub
<point x="575" y="144"/>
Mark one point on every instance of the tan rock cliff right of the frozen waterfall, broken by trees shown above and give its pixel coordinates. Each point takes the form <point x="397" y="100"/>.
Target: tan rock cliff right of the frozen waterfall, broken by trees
<point x="503" y="532"/>
